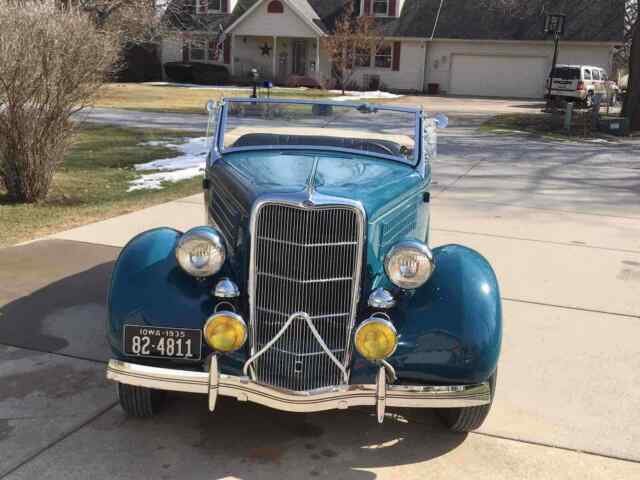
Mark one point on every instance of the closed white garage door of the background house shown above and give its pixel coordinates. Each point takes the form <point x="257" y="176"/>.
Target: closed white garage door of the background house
<point x="498" y="76"/>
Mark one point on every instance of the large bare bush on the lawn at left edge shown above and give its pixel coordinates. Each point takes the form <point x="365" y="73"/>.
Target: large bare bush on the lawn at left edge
<point x="52" y="63"/>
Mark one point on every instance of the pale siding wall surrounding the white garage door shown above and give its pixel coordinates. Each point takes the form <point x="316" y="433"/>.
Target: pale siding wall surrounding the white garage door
<point x="440" y="53"/>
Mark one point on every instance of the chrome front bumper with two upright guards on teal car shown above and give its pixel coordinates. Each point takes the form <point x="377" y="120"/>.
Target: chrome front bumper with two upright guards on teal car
<point x="380" y="395"/>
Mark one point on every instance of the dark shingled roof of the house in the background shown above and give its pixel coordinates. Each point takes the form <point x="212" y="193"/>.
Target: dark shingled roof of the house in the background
<point x="587" y="20"/>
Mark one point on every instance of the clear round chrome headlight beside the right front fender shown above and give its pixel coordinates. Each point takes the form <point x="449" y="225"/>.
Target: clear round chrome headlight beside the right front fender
<point x="409" y="264"/>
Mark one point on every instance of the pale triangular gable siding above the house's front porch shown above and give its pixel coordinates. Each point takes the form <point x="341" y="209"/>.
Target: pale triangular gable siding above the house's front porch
<point x="261" y="23"/>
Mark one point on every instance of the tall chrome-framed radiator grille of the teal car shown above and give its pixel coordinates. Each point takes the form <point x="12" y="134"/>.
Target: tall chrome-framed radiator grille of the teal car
<point x="305" y="260"/>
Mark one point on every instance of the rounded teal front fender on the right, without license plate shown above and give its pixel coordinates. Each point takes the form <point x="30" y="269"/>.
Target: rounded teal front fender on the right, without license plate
<point x="450" y="329"/>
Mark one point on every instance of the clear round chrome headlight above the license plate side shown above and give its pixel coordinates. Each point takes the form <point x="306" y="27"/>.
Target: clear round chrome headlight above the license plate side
<point x="200" y="252"/>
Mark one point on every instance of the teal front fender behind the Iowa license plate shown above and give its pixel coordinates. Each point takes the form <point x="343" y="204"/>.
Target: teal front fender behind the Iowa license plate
<point x="148" y="287"/>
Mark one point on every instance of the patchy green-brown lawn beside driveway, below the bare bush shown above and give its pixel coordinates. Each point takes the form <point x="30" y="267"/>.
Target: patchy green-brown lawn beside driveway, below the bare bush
<point x="92" y="184"/>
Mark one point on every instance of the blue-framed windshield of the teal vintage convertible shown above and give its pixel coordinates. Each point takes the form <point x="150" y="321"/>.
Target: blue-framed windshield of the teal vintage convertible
<point x="377" y="130"/>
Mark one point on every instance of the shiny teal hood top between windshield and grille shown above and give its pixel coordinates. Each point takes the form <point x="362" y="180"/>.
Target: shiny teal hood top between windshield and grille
<point x="377" y="184"/>
